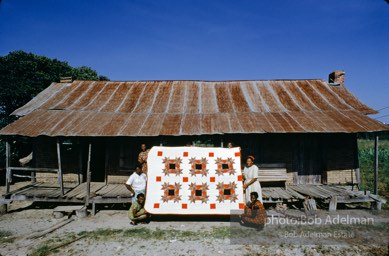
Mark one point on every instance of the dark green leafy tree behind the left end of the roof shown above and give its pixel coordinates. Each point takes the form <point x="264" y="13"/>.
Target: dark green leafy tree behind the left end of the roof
<point x="23" y="75"/>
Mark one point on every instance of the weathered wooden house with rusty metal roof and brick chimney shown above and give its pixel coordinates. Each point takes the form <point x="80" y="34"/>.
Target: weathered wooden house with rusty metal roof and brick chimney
<point x="91" y="131"/>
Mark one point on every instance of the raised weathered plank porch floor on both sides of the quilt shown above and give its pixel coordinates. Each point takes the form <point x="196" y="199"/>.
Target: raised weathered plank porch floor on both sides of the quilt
<point x="102" y="193"/>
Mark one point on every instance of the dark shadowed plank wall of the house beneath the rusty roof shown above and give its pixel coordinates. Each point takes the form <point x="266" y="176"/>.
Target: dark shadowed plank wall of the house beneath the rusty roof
<point x="309" y="158"/>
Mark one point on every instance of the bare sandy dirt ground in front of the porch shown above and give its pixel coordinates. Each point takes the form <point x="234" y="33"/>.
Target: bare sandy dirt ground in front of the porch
<point x="109" y="233"/>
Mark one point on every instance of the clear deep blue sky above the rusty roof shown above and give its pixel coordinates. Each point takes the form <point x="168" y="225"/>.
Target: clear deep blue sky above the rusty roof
<point x="211" y="39"/>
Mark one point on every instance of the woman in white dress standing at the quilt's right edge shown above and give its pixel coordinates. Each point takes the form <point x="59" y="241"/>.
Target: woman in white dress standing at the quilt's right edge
<point x="251" y="183"/>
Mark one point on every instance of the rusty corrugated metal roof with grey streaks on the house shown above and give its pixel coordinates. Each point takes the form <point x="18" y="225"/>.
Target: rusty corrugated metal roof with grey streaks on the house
<point x="152" y="108"/>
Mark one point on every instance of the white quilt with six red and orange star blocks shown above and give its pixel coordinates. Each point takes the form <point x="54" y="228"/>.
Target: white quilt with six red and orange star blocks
<point x="194" y="180"/>
